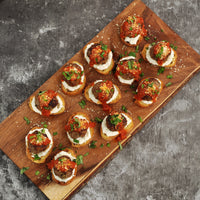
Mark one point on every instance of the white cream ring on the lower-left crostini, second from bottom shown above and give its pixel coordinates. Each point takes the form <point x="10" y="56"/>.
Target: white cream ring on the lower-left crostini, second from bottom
<point x="46" y="131"/>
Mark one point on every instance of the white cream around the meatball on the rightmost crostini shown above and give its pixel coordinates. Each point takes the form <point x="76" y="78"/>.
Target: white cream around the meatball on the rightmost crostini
<point x="154" y="62"/>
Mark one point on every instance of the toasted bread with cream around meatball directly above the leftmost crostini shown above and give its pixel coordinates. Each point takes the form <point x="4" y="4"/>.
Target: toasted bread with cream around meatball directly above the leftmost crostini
<point x="61" y="105"/>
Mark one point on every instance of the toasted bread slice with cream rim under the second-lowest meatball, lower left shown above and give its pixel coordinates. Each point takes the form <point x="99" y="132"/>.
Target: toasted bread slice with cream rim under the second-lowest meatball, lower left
<point x="42" y="158"/>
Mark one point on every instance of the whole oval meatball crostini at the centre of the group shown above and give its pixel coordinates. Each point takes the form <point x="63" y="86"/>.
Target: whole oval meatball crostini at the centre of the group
<point x="102" y="92"/>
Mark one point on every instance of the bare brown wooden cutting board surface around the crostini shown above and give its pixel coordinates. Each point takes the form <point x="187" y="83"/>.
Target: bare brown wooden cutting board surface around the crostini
<point x="14" y="129"/>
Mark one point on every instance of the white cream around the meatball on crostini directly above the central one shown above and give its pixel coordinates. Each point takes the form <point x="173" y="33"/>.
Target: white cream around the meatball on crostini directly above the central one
<point x="99" y="66"/>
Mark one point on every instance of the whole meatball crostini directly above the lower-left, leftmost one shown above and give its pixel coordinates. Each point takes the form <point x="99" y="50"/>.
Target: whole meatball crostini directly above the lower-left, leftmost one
<point x="47" y="103"/>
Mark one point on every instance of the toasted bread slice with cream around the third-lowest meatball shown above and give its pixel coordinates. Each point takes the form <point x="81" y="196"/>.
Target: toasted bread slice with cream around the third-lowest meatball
<point x="87" y="139"/>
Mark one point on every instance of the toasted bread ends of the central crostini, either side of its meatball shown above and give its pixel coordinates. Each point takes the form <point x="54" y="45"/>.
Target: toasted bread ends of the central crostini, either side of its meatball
<point x="115" y="100"/>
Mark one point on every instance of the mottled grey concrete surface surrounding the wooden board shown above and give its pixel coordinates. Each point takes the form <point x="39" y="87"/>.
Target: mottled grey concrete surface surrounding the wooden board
<point x="162" y="160"/>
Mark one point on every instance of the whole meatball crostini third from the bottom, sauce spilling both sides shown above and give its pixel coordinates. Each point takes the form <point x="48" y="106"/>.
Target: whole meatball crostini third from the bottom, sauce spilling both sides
<point x="79" y="129"/>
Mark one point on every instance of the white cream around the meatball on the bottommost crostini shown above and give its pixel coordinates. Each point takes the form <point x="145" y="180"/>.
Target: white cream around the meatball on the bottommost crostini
<point x="60" y="154"/>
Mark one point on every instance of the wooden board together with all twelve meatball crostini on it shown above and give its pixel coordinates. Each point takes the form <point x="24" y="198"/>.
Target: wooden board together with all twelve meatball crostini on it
<point x="75" y="122"/>
